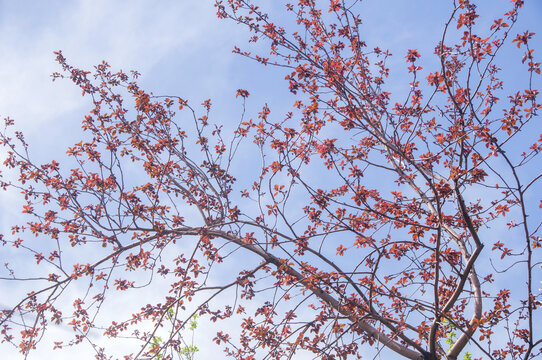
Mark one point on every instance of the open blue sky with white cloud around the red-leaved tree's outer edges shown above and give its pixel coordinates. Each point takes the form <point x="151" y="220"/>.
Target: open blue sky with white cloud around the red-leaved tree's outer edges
<point x="181" y="49"/>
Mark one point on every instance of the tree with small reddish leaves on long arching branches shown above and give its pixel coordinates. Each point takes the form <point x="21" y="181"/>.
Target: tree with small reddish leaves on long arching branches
<point x="372" y="219"/>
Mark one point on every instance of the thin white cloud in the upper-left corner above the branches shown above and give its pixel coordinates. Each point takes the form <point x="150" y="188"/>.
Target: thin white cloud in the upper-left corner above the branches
<point x="128" y="34"/>
